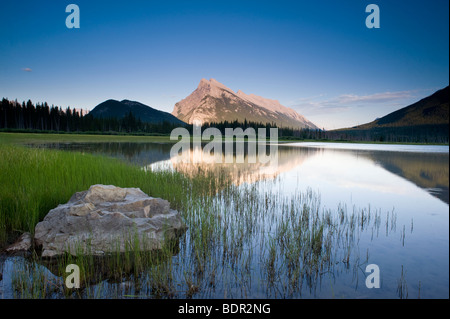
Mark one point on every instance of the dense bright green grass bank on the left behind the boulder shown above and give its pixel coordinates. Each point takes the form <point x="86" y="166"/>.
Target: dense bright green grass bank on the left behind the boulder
<point x="33" y="181"/>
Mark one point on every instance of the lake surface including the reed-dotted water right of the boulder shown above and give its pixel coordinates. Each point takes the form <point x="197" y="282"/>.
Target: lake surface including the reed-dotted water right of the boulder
<point x="403" y="190"/>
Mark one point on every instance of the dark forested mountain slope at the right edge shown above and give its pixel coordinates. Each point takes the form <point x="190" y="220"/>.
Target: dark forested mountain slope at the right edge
<point x="431" y="110"/>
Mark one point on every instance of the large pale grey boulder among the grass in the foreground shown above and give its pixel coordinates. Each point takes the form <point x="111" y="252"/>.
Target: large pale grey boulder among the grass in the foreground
<point x="108" y="219"/>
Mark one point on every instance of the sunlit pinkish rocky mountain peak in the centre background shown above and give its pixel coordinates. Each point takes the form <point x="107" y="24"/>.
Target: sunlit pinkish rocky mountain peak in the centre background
<point x="214" y="102"/>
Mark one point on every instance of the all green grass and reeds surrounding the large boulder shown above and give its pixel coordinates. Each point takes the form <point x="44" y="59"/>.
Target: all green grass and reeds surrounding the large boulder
<point x="242" y="241"/>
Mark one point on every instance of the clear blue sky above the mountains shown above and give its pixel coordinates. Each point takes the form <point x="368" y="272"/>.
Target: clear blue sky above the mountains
<point x="317" y="57"/>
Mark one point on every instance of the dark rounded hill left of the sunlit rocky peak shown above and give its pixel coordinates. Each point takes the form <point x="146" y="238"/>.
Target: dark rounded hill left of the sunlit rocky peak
<point x="116" y="109"/>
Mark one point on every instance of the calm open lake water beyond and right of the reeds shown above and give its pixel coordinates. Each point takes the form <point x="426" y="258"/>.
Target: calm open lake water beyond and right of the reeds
<point x="407" y="185"/>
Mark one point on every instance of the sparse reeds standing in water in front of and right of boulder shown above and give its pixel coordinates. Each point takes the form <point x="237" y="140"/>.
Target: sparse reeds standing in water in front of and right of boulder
<point x="240" y="243"/>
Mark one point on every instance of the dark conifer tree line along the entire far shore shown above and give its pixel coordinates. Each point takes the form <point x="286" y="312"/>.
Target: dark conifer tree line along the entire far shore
<point x="41" y="117"/>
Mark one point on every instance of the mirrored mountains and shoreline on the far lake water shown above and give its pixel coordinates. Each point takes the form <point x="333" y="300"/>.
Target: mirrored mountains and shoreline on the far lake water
<point x="426" y="167"/>
